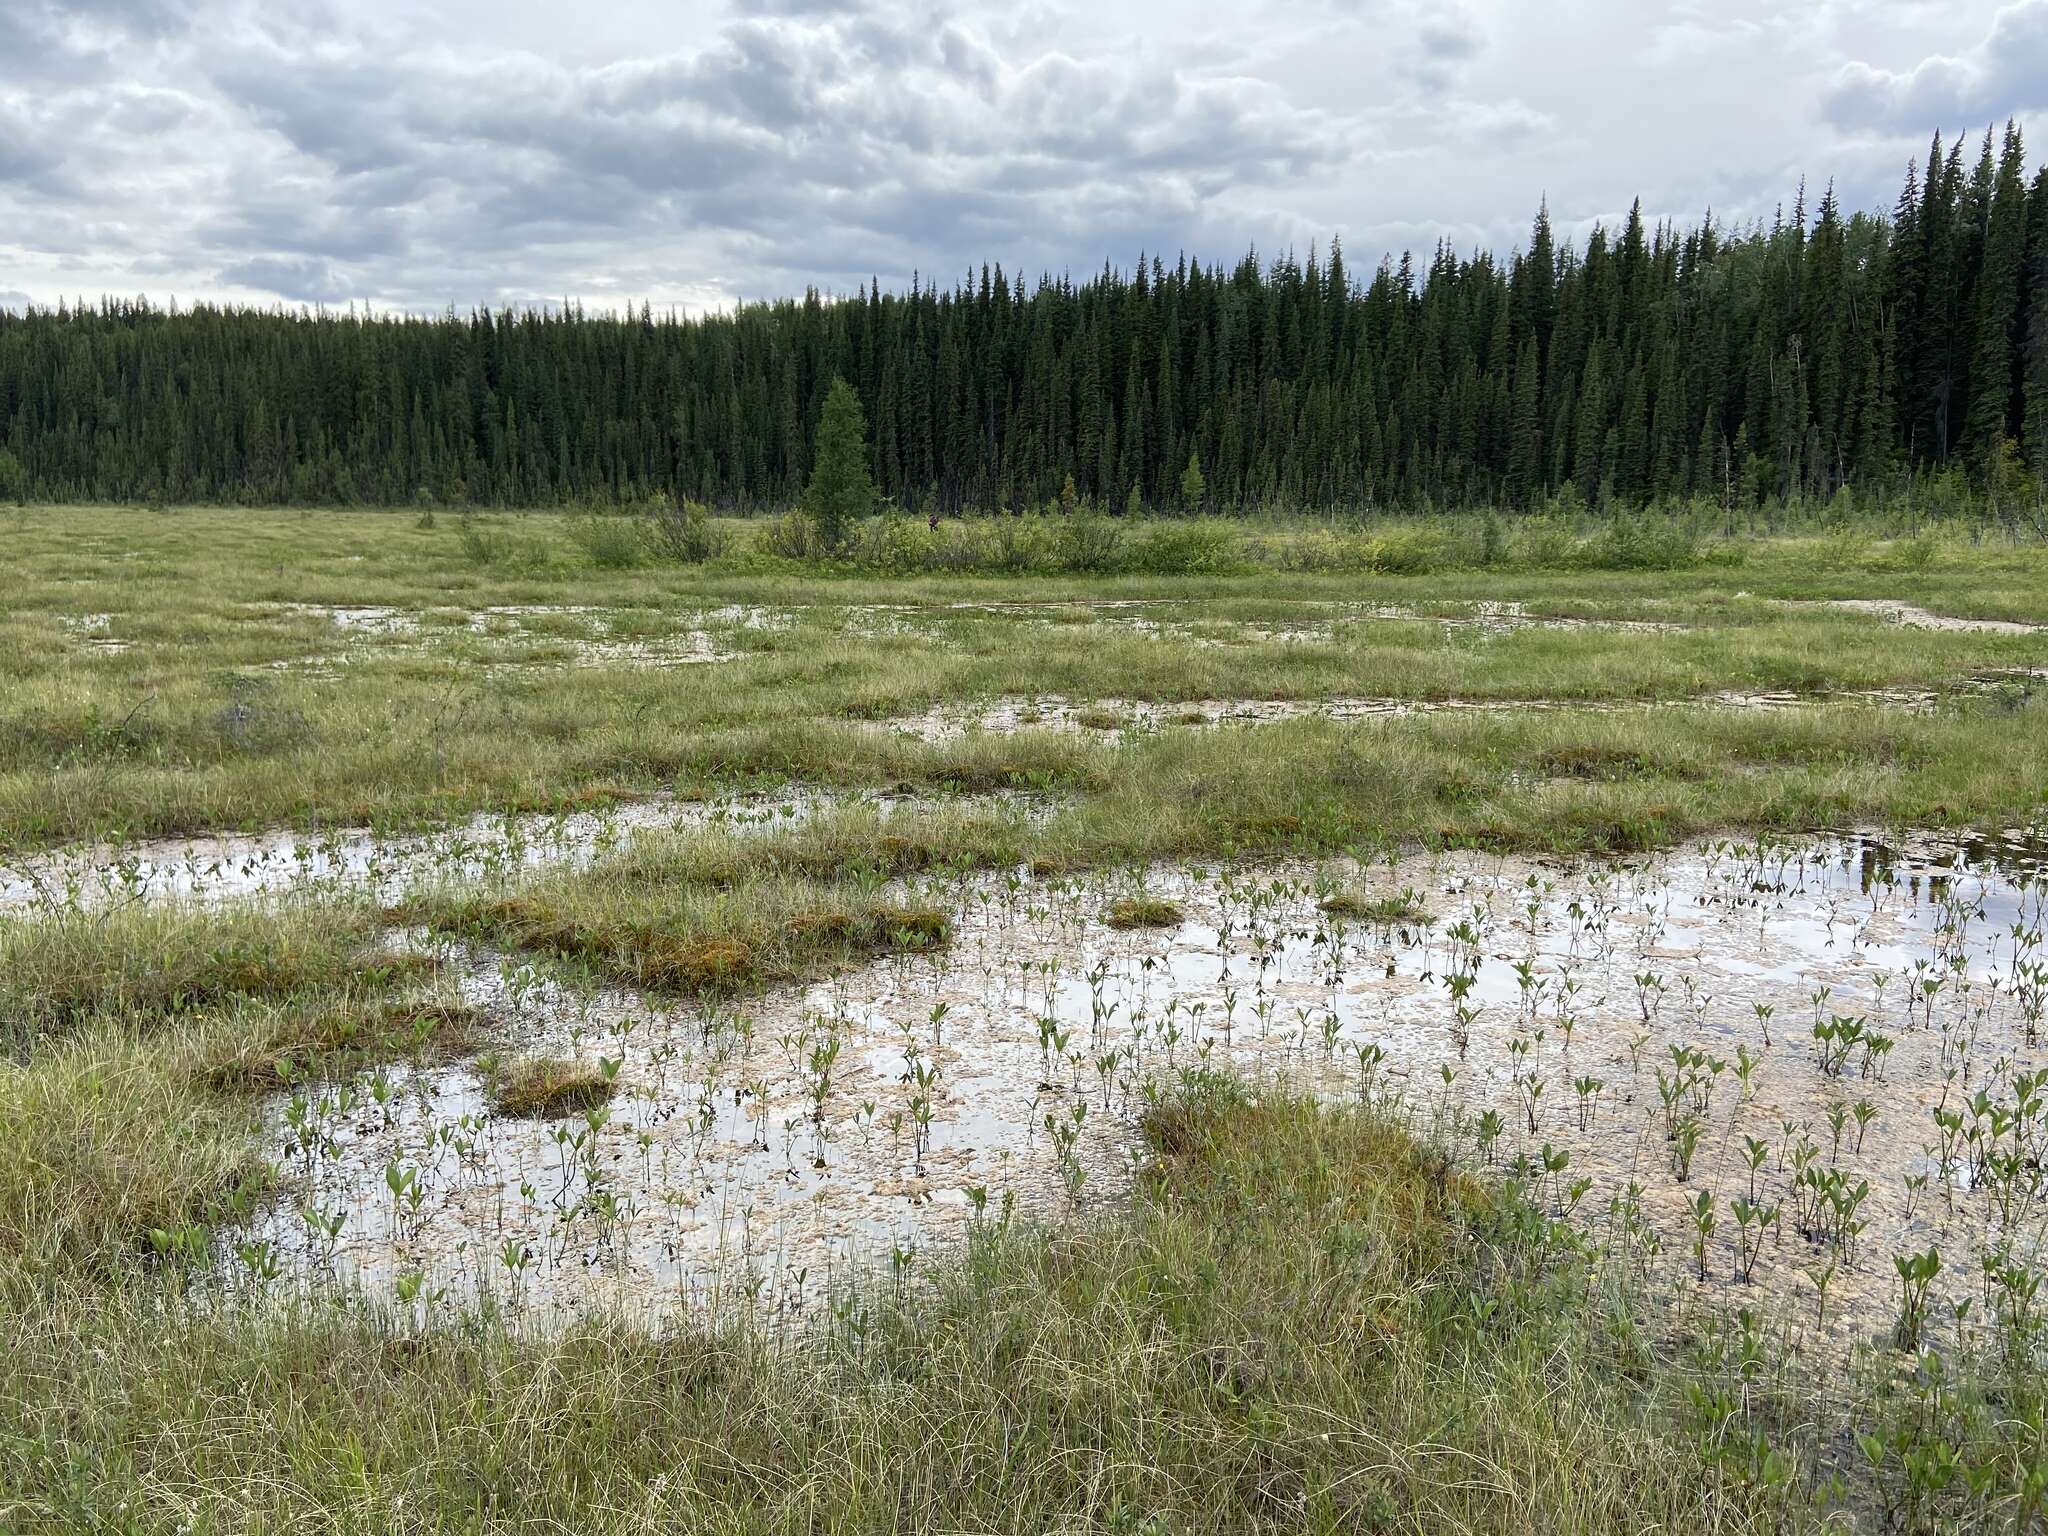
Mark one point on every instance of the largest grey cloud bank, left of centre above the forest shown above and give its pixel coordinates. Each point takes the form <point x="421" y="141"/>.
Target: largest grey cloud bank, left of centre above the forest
<point x="783" y="128"/>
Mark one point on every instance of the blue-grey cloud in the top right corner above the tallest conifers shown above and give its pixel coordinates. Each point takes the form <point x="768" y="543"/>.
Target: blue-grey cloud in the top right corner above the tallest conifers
<point x="2004" y="75"/>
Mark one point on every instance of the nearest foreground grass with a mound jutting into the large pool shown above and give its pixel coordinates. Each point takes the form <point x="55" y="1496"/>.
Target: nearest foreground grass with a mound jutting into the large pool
<point x="1306" y="1322"/>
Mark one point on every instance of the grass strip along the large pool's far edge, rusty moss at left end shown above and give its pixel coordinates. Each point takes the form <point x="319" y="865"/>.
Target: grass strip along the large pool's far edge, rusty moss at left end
<point x="1302" y="787"/>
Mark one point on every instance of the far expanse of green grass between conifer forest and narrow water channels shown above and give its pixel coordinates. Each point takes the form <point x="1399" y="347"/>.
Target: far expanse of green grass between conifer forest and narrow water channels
<point x="232" y="710"/>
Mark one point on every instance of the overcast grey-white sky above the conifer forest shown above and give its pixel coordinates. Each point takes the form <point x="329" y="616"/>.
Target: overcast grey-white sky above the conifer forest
<point x="695" y="155"/>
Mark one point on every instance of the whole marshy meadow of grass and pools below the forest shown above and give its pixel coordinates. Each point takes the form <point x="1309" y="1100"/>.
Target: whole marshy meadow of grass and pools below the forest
<point x="1162" y="1027"/>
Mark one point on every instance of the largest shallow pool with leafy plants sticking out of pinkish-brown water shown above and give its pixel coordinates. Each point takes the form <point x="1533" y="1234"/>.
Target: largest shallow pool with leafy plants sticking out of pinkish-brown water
<point x="1641" y="1021"/>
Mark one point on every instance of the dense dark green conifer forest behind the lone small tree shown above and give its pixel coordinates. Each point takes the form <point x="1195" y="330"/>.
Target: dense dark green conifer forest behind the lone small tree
<point x="1785" y="361"/>
